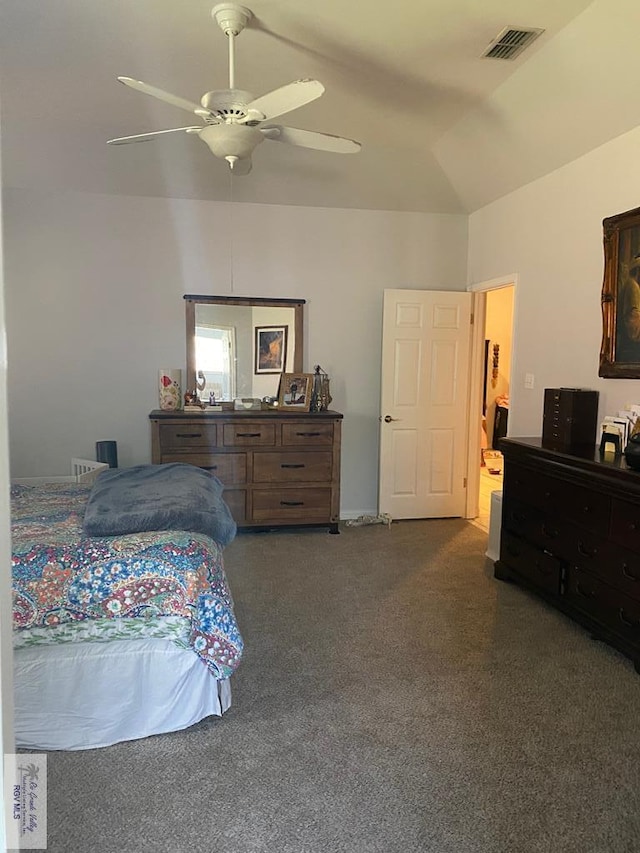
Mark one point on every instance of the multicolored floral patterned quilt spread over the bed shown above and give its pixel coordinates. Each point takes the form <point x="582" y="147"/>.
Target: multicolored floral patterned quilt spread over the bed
<point x="158" y="583"/>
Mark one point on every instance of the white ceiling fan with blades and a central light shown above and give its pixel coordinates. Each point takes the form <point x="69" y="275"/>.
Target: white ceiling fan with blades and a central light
<point x="235" y="122"/>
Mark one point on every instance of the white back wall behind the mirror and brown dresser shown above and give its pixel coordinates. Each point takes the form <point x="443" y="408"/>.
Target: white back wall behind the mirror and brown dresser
<point x="94" y="288"/>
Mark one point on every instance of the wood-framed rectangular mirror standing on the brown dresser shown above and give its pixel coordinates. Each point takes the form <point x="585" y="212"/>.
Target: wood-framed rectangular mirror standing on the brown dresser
<point x="227" y="341"/>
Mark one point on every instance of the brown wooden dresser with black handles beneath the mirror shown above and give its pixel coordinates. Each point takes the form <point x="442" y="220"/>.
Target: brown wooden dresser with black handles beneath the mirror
<point x="277" y="469"/>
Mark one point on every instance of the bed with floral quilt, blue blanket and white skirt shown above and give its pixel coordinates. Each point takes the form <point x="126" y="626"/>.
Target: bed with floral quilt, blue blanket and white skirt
<point x="122" y="636"/>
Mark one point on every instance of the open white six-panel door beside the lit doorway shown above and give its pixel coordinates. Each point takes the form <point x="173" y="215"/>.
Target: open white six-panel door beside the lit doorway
<point x="424" y="402"/>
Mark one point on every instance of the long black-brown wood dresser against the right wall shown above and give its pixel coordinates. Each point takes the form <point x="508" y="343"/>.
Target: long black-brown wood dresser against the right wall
<point x="571" y="533"/>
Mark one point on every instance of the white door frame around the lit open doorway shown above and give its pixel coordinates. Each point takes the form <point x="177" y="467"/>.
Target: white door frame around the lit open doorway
<point x="479" y="308"/>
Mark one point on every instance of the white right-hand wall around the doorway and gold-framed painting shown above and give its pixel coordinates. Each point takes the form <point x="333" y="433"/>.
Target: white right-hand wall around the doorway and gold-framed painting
<point x="550" y="234"/>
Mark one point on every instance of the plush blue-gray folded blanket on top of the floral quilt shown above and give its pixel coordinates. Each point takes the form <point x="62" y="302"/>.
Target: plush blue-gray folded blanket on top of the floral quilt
<point x="158" y="497"/>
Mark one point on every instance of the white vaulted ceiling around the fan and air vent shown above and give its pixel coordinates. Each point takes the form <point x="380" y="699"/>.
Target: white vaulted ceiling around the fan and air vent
<point x="442" y="130"/>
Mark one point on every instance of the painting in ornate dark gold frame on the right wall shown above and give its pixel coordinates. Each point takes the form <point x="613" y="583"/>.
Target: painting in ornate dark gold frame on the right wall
<point x="620" y="348"/>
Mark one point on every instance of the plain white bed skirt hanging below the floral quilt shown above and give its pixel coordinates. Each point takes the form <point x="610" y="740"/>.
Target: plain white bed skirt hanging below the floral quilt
<point x="88" y="695"/>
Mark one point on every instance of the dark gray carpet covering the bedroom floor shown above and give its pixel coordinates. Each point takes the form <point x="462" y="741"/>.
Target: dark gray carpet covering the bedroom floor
<point x="393" y="697"/>
